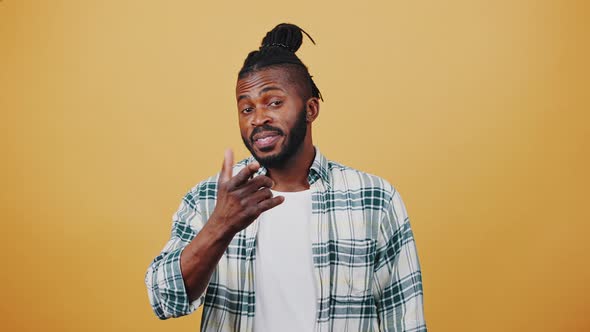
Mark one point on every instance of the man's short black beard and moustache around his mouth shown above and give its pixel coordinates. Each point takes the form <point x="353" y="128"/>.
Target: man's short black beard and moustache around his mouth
<point x="294" y="140"/>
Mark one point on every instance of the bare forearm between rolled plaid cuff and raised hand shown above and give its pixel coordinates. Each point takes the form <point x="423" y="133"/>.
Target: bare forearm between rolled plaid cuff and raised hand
<point x="200" y="257"/>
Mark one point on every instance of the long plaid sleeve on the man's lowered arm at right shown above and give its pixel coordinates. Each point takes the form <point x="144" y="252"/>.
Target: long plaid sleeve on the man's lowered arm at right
<point x="397" y="282"/>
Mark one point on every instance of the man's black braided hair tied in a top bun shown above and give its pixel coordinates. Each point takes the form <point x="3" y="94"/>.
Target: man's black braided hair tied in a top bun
<point x="278" y="49"/>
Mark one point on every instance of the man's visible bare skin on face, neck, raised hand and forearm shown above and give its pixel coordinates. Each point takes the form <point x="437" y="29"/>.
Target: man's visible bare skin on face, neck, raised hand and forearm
<point x="268" y="96"/>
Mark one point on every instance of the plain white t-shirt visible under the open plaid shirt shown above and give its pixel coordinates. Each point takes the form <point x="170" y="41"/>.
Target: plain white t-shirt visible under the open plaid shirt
<point x="284" y="279"/>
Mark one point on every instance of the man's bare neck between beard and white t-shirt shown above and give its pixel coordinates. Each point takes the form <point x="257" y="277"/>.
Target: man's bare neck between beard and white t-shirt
<point x="293" y="176"/>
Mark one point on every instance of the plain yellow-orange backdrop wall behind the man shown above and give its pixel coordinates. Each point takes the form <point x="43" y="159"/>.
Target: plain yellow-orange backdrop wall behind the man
<point x="477" y="111"/>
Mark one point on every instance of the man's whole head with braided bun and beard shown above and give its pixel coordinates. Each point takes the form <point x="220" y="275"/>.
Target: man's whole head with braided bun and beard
<point x="277" y="98"/>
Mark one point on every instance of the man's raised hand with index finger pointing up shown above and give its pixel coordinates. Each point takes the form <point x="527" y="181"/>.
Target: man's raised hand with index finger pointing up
<point x="241" y="198"/>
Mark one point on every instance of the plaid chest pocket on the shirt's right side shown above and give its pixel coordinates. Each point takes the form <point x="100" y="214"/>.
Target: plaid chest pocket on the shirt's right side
<point x="352" y="267"/>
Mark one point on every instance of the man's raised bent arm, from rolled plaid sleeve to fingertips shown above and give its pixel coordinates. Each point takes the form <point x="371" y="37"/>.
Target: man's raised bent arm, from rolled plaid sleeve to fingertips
<point x="178" y="277"/>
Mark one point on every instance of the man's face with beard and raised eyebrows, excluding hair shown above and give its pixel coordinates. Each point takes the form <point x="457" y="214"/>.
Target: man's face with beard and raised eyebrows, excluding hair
<point x="272" y="116"/>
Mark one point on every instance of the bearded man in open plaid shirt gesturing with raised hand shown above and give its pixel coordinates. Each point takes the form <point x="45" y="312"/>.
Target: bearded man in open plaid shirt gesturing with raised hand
<point x="287" y="240"/>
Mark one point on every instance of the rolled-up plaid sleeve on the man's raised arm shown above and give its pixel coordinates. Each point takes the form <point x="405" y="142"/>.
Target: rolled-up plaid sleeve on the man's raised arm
<point x="165" y="286"/>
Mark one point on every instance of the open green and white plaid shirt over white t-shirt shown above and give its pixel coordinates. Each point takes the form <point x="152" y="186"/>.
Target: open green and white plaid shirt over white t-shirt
<point x="367" y="272"/>
